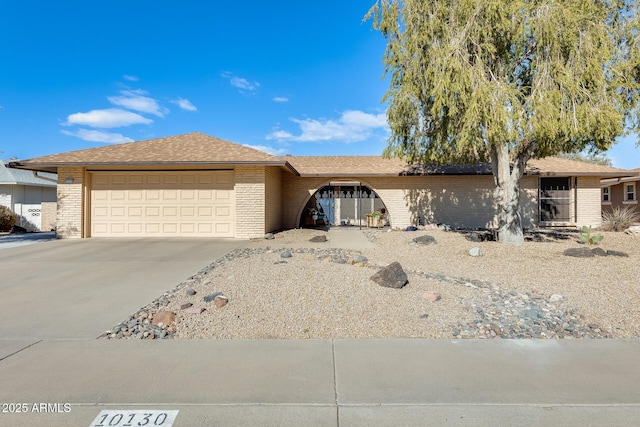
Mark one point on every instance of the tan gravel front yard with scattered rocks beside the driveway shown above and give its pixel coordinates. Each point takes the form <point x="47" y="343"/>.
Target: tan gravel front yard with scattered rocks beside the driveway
<point x="314" y="291"/>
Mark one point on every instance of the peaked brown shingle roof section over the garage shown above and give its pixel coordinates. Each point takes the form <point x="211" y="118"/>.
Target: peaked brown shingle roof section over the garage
<point x="191" y="148"/>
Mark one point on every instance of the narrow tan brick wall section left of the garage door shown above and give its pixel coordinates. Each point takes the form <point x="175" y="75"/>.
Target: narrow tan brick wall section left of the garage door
<point x="70" y="217"/>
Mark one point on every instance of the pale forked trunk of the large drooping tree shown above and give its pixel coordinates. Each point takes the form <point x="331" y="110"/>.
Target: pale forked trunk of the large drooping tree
<point x="507" y="195"/>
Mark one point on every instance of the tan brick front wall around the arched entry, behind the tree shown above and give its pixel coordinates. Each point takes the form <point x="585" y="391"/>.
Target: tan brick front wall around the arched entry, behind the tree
<point x="460" y="201"/>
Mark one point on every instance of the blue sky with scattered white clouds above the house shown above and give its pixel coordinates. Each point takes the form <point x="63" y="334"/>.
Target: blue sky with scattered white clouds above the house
<point x="288" y="77"/>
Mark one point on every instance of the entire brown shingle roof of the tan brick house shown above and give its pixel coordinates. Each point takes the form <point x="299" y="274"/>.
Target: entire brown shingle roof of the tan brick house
<point x="198" y="148"/>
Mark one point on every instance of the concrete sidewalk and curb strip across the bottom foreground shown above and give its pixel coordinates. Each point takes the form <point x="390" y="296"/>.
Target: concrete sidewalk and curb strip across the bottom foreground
<point x="330" y="382"/>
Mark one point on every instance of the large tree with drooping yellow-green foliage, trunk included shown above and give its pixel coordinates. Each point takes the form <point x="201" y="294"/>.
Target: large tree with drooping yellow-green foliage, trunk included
<point x="506" y="81"/>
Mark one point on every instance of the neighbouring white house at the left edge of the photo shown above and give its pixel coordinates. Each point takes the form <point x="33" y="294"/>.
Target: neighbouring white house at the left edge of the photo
<point x="31" y="195"/>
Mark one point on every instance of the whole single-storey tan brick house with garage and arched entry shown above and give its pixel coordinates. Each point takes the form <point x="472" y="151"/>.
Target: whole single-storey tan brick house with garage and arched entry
<point x="197" y="185"/>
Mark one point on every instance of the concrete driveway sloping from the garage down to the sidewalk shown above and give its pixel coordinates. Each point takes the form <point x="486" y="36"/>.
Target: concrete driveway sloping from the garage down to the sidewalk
<point x="80" y="288"/>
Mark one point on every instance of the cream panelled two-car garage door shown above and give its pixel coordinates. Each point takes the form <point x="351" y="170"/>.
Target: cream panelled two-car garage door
<point x="162" y="204"/>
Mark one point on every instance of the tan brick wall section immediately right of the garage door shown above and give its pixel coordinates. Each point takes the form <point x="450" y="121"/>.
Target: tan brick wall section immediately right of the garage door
<point x="250" y="201"/>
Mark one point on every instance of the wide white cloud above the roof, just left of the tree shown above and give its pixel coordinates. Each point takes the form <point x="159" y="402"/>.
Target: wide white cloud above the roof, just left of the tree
<point x="352" y="126"/>
